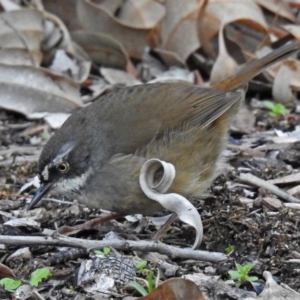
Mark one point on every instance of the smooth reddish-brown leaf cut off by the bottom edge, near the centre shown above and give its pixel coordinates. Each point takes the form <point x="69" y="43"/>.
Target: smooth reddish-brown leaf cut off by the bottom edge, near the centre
<point x="175" y="289"/>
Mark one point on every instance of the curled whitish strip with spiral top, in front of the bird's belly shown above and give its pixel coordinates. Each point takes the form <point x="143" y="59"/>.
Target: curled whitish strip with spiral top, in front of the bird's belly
<point x="186" y="212"/>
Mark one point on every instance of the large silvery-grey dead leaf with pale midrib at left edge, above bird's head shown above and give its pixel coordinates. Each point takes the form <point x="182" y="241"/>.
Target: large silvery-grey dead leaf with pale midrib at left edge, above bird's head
<point x="30" y="90"/>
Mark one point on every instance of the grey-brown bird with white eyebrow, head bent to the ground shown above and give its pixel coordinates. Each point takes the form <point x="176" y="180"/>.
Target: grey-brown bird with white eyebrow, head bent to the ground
<point x="97" y="154"/>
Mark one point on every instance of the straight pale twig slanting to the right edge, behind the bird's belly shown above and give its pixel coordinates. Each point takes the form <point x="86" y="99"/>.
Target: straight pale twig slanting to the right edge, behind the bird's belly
<point x="249" y="178"/>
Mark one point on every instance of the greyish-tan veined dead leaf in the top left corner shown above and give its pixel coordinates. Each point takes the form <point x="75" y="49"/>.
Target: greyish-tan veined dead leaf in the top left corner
<point x="21" y="33"/>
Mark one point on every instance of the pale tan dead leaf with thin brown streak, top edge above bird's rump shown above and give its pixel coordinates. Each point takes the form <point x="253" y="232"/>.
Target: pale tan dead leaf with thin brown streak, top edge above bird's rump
<point x="179" y="27"/>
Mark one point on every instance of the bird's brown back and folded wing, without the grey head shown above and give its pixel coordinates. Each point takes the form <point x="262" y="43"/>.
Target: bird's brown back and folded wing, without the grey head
<point x="133" y="116"/>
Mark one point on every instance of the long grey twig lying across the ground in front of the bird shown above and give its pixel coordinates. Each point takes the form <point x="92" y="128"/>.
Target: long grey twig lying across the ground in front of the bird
<point x="145" y="246"/>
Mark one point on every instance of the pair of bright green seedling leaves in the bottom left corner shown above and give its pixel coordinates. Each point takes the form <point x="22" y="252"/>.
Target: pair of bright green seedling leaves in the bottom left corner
<point x="36" y="278"/>
